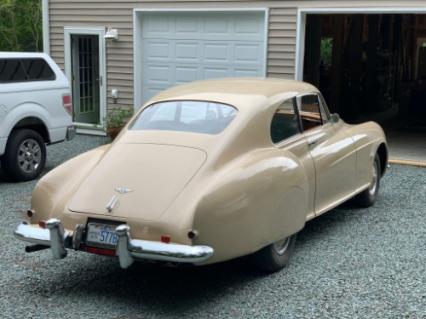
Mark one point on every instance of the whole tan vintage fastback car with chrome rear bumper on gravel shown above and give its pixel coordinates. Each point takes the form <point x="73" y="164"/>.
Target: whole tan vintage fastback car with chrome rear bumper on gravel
<point x="206" y="172"/>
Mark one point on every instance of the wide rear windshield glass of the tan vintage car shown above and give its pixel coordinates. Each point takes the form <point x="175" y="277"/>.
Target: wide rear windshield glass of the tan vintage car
<point x="188" y="116"/>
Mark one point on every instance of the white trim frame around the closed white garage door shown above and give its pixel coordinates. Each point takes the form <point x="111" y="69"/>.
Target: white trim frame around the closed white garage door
<point x="137" y="40"/>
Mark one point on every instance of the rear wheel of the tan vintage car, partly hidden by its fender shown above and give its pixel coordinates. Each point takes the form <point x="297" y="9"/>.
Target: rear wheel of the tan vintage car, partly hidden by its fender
<point x="275" y="256"/>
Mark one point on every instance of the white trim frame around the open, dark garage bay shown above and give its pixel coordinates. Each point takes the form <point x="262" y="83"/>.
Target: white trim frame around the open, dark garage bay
<point x="301" y="25"/>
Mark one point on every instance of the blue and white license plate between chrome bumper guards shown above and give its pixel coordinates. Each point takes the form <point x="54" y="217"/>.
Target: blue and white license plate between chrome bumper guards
<point x="102" y="235"/>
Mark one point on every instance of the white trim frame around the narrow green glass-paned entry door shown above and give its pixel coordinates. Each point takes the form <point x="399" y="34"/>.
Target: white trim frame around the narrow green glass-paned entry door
<point x="100" y="32"/>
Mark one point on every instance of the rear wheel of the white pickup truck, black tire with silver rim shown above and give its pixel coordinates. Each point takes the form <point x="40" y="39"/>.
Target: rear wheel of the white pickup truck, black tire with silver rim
<point x="25" y="155"/>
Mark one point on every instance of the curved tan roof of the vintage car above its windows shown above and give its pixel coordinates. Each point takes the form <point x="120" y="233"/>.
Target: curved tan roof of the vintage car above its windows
<point x="239" y="92"/>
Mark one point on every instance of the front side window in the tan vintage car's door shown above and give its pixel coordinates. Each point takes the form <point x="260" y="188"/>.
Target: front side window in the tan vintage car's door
<point x="311" y="113"/>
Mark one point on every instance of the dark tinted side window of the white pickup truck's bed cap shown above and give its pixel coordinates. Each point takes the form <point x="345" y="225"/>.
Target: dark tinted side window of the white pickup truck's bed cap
<point x="24" y="70"/>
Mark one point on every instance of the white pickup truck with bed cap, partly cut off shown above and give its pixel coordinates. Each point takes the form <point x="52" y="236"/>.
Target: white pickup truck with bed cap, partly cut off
<point x="35" y="110"/>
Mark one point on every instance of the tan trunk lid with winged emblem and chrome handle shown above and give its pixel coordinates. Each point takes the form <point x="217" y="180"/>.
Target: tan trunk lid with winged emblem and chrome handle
<point x="137" y="180"/>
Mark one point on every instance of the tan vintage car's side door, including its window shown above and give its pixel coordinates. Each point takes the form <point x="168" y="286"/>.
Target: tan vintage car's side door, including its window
<point x="332" y="151"/>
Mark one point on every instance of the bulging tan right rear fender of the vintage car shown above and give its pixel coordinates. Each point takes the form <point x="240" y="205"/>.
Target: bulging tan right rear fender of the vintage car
<point x="251" y="203"/>
